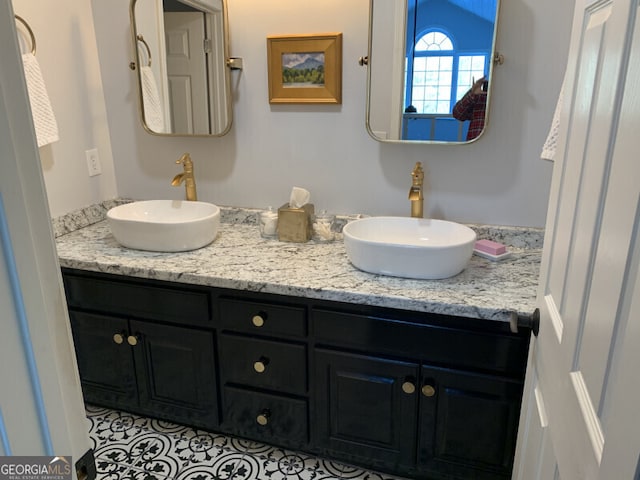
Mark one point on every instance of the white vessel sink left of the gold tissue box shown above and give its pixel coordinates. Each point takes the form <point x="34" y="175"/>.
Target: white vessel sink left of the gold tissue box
<point x="164" y="225"/>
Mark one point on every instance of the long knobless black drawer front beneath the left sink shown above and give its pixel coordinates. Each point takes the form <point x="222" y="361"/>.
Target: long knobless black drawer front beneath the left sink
<point x="135" y="299"/>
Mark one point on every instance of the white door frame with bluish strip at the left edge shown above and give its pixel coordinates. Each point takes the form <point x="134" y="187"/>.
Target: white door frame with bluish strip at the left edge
<point x="41" y="407"/>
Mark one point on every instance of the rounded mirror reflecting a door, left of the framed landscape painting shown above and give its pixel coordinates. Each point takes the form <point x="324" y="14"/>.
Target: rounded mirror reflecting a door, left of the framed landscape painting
<point x="181" y="51"/>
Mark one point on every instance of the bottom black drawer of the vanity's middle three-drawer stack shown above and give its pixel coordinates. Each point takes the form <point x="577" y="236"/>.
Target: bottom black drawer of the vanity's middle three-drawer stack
<point x="271" y="418"/>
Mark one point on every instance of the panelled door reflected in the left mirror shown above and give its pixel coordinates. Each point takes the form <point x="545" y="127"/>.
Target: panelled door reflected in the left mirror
<point x="187" y="72"/>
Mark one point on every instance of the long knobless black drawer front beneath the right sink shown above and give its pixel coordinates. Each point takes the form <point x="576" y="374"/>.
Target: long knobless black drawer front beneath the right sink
<point x="490" y="351"/>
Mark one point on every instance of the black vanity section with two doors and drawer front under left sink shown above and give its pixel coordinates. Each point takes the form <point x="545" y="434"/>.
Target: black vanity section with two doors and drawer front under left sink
<point x="140" y="365"/>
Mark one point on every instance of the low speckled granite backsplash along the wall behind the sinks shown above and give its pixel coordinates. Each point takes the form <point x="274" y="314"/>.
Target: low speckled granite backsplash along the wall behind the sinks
<point x="516" y="237"/>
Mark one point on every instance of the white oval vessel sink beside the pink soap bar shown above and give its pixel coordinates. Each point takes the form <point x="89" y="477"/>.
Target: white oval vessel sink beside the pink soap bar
<point x="409" y="247"/>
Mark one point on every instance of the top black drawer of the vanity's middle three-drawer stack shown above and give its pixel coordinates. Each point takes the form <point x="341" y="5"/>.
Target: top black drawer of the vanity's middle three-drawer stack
<point x="263" y="318"/>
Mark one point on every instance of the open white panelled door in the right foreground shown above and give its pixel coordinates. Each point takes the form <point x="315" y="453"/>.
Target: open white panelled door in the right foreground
<point x="580" y="410"/>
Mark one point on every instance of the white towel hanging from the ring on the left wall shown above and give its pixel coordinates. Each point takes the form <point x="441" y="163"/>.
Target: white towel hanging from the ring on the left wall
<point x="43" y="118"/>
